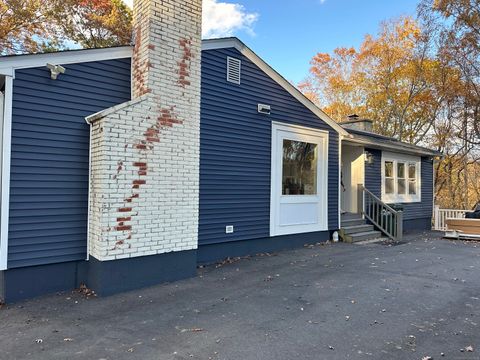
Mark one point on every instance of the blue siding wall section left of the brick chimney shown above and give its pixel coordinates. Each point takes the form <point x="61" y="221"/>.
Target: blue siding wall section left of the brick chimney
<point x="49" y="166"/>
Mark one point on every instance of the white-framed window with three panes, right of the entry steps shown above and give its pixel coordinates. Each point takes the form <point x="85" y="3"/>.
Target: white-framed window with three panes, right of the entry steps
<point x="401" y="181"/>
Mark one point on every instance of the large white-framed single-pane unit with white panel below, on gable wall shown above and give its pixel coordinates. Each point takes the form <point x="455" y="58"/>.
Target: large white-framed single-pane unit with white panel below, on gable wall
<point x="299" y="180"/>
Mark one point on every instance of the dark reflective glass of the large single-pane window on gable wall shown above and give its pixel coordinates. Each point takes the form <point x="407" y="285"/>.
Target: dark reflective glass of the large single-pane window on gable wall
<point x="299" y="173"/>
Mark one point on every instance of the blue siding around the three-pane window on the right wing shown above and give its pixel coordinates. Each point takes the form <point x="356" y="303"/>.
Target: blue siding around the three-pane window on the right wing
<point x="412" y="211"/>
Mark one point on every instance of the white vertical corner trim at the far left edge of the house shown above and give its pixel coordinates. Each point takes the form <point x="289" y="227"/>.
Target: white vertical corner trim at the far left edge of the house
<point x="5" y="172"/>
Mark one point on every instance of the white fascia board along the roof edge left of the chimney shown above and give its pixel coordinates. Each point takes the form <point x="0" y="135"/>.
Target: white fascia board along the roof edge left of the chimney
<point x="9" y="63"/>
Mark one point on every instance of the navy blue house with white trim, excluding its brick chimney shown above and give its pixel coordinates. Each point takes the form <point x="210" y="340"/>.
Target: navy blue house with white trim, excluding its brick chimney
<point x="275" y="171"/>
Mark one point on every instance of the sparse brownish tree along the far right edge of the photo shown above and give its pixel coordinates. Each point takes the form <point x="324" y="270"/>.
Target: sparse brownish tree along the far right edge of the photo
<point x="456" y="24"/>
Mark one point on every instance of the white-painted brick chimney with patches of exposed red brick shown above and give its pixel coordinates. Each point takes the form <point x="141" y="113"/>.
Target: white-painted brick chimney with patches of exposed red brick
<point x="144" y="180"/>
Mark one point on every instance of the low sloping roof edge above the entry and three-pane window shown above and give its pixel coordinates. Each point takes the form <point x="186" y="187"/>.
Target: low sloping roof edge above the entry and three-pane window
<point x="377" y="141"/>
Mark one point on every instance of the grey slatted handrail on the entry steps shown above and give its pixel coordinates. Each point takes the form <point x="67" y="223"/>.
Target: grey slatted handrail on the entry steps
<point x="388" y="220"/>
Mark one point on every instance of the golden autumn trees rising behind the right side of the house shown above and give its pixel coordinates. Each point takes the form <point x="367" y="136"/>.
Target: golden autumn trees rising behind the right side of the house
<point x="418" y="80"/>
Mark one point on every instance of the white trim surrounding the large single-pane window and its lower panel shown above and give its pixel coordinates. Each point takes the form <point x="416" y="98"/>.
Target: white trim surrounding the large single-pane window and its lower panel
<point x="307" y="134"/>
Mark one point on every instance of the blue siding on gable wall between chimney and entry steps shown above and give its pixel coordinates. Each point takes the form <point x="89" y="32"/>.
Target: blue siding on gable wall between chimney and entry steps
<point x="235" y="149"/>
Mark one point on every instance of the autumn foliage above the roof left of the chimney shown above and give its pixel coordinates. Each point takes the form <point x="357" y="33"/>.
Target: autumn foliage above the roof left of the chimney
<point x="30" y="26"/>
